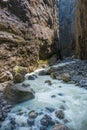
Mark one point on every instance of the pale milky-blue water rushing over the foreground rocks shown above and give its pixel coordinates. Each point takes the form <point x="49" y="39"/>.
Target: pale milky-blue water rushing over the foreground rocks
<point x="73" y="98"/>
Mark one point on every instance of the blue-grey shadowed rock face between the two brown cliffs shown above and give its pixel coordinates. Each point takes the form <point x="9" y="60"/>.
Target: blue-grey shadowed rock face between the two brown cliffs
<point x="67" y="13"/>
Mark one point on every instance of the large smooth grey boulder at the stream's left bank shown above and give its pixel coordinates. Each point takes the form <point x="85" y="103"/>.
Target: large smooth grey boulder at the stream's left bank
<point x="17" y="93"/>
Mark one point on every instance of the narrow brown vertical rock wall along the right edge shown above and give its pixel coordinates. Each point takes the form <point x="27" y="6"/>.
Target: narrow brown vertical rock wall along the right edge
<point x="81" y="29"/>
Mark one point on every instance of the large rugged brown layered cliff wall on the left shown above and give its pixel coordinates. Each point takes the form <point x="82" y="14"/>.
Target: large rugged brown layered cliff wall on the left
<point x="27" y="31"/>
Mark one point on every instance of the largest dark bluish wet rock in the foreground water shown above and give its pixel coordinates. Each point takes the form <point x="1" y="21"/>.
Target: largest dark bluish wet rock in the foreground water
<point x="47" y="121"/>
